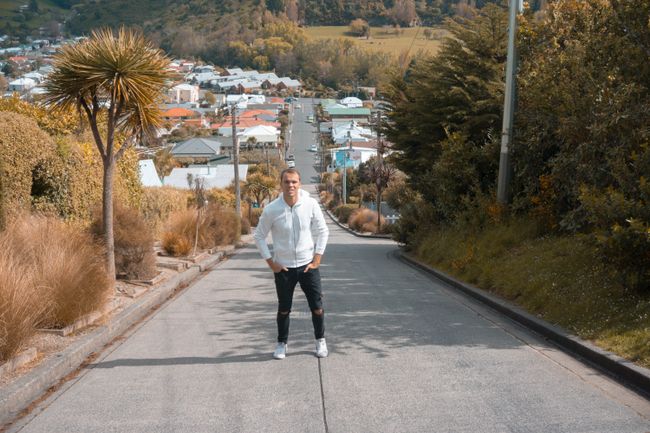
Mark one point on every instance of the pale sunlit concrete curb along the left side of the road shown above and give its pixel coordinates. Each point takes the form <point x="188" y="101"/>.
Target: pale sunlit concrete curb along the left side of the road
<point x="19" y="394"/>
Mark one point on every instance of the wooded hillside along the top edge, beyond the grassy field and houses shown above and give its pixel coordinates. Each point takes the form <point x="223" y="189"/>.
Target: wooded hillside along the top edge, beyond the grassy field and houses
<point x="164" y="17"/>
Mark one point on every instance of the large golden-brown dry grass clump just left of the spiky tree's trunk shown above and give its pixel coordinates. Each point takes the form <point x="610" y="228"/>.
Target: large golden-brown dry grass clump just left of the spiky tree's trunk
<point x="65" y="264"/>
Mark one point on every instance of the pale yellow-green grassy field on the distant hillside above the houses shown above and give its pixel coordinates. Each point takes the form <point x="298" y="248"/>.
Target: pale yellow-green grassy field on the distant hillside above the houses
<point x="411" y="39"/>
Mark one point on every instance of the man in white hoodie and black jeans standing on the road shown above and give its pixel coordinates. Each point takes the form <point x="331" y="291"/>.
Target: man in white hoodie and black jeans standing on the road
<point x="295" y="220"/>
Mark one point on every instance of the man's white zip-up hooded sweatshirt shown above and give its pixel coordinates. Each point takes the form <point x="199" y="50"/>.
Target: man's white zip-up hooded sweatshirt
<point x="293" y="230"/>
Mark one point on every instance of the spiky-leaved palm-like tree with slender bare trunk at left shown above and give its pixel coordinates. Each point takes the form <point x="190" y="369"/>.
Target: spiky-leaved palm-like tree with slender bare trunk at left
<point x="116" y="81"/>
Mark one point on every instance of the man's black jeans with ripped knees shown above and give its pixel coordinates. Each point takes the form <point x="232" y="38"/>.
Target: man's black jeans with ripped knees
<point x="285" y="284"/>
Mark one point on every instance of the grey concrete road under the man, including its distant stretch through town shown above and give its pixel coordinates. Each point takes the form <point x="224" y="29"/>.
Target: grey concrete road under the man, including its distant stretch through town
<point x="407" y="355"/>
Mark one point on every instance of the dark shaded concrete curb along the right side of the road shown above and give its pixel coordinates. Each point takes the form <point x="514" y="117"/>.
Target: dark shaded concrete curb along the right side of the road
<point x="625" y="372"/>
